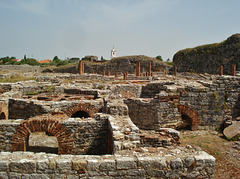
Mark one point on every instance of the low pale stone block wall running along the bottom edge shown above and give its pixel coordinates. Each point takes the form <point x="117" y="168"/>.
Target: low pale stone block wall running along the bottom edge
<point x="30" y="165"/>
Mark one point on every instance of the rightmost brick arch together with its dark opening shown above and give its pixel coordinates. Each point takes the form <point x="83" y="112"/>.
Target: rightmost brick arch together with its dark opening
<point x="190" y="118"/>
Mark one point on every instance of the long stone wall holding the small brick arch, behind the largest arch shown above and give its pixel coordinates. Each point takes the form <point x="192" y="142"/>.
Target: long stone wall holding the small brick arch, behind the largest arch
<point x="24" y="109"/>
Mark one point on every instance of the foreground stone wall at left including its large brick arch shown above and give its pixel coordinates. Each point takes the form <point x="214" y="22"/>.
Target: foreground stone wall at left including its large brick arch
<point x="89" y="136"/>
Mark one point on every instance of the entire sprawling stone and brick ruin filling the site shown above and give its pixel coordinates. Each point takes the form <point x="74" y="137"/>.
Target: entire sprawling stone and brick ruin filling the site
<point x="89" y="125"/>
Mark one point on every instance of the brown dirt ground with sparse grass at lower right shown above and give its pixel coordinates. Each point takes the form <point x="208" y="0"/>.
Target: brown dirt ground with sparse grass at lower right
<point x="227" y="153"/>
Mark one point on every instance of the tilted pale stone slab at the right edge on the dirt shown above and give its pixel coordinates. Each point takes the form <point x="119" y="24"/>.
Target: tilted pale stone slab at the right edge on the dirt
<point x="232" y="130"/>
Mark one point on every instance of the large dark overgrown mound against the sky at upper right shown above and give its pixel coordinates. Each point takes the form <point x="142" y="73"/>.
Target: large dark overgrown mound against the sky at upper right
<point x="208" y="58"/>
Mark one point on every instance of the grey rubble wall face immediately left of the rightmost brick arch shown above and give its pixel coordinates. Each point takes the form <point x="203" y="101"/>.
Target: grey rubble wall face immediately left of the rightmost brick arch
<point x="153" y="114"/>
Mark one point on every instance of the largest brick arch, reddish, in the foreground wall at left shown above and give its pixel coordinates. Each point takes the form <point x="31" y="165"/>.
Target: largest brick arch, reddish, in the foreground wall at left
<point x="50" y="125"/>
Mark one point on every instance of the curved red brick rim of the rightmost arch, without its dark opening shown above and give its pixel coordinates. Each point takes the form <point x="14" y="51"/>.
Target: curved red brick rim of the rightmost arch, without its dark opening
<point x="192" y="115"/>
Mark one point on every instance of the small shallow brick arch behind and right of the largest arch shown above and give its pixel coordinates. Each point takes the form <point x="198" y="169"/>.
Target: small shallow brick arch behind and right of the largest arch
<point x="82" y="107"/>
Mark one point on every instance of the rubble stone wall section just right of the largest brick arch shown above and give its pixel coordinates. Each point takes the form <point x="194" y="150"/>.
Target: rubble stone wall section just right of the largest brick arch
<point x="90" y="136"/>
